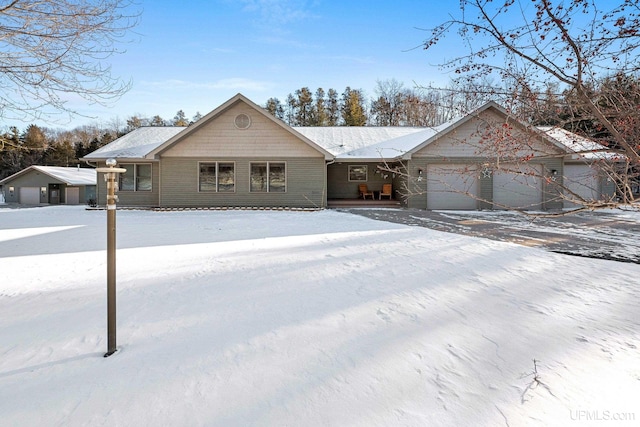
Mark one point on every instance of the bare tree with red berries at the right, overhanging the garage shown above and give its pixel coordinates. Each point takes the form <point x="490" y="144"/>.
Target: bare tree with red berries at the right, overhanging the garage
<point x="551" y="57"/>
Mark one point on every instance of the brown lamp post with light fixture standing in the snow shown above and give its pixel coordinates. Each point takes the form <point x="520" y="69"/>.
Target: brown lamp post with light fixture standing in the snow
<point x="111" y="172"/>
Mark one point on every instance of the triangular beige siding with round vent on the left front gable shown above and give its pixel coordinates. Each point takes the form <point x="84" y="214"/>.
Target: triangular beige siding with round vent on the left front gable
<point x="221" y="138"/>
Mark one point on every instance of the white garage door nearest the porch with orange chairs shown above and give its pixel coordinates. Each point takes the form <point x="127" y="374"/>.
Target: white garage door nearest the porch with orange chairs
<point x="452" y="187"/>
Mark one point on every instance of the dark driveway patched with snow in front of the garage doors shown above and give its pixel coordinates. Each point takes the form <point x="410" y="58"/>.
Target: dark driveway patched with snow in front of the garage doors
<point x="607" y="234"/>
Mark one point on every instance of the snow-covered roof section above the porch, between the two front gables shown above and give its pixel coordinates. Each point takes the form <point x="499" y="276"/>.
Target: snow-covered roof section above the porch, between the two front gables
<point x="343" y="139"/>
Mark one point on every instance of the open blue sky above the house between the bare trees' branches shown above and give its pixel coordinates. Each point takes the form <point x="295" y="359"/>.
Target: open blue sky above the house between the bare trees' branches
<point x="195" y="55"/>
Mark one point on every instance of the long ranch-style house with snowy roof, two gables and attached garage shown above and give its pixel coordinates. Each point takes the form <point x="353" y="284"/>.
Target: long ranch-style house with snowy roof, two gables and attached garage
<point x="239" y="155"/>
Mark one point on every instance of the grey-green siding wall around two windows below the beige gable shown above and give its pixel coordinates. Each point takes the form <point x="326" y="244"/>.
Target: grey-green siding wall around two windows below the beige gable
<point x="305" y="184"/>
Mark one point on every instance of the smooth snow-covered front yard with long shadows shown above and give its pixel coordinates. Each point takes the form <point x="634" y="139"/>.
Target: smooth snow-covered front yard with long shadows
<point x="238" y="318"/>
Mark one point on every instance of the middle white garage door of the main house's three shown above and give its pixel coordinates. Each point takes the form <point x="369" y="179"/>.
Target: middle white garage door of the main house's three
<point x="518" y="187"/>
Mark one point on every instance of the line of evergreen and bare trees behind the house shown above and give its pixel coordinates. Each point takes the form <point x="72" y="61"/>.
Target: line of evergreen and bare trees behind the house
<point x="393" y="105"/>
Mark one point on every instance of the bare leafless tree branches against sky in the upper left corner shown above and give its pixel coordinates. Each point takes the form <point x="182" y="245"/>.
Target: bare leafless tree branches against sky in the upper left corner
<point x="56" y="50"/>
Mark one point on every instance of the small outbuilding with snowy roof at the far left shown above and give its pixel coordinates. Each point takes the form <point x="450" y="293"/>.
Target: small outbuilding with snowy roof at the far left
<point x="37" y="185"/>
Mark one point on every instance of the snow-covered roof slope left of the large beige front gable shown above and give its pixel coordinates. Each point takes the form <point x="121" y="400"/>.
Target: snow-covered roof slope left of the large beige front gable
<point x="137" y="143"/>
